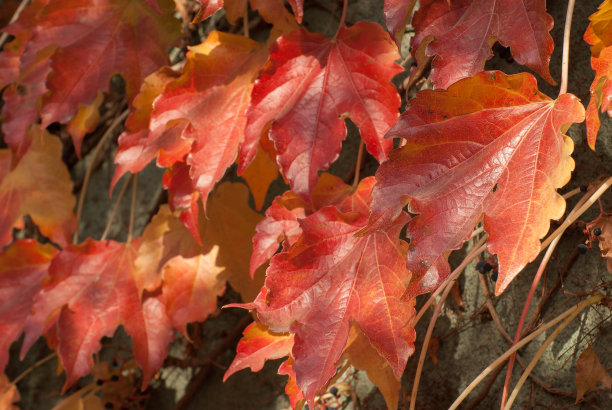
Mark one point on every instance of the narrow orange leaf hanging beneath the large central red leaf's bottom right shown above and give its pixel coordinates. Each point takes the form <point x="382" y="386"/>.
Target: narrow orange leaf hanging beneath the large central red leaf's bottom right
<point x="364" y="357"/>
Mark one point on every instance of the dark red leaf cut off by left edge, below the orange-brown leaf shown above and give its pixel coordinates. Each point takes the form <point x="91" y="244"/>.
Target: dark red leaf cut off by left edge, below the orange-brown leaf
<point x="23" y="266"/>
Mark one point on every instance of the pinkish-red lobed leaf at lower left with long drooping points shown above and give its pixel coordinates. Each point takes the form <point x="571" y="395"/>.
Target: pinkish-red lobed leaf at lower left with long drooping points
<point x="93" y="289"/>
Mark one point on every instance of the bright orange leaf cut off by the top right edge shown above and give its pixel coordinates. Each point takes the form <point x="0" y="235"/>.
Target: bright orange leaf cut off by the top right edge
<point x="599" y="37"/>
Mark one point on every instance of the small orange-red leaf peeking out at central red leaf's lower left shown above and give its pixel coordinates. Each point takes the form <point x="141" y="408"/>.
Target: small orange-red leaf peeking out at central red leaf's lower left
<point x="257" y="345"/>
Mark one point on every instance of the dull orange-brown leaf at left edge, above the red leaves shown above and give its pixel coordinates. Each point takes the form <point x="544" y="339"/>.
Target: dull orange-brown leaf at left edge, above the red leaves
<point x="39" y="185"/>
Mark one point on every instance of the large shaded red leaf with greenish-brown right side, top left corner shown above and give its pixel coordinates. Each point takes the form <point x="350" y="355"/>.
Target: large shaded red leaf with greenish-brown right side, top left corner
<point x="85" y="44"/>
